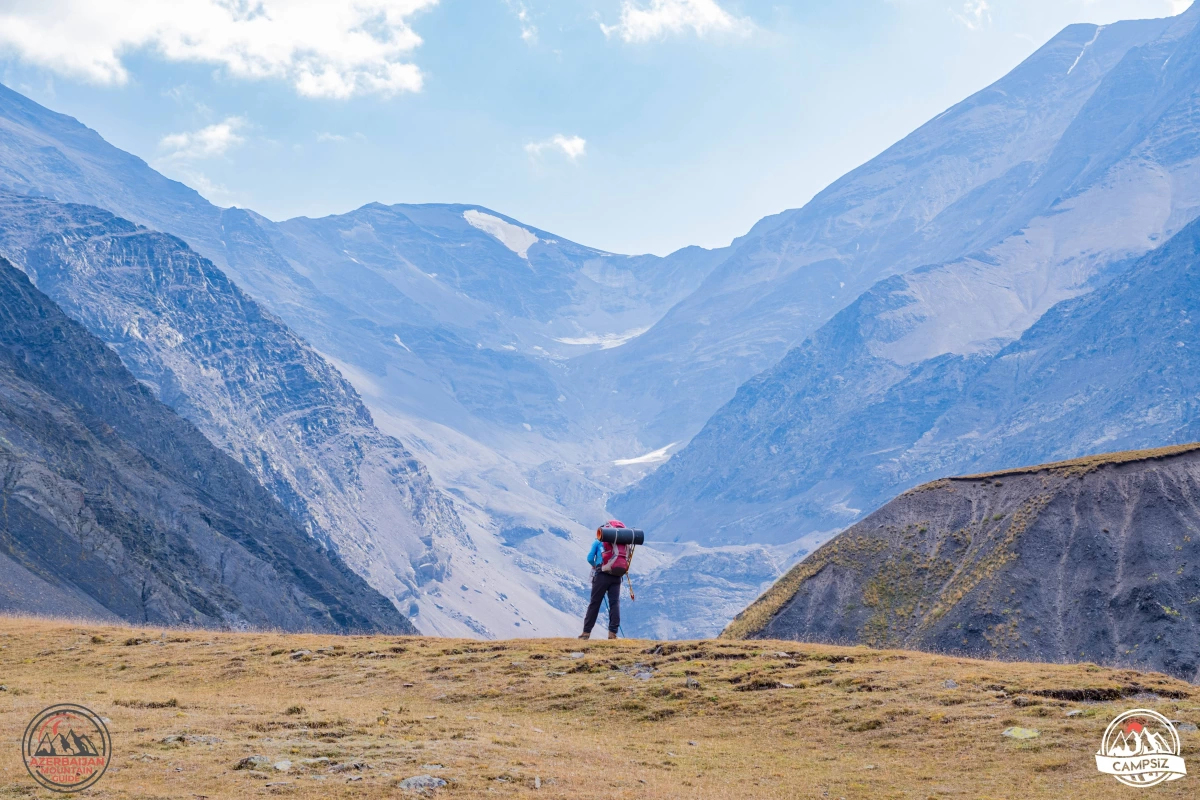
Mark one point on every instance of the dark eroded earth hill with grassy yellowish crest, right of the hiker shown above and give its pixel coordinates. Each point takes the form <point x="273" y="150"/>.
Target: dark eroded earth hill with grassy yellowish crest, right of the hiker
<point x="1095" y="560"/>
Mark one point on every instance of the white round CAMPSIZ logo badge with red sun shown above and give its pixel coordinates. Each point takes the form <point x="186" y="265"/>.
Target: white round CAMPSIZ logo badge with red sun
<point x="1142" y="749"/>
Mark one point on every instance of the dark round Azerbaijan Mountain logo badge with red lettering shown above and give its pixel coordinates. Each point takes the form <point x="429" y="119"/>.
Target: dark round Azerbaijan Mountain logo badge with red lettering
<point x="67" y="748"/>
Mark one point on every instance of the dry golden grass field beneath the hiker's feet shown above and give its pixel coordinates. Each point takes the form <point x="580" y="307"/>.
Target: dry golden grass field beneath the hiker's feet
<point x="525" y="718"/>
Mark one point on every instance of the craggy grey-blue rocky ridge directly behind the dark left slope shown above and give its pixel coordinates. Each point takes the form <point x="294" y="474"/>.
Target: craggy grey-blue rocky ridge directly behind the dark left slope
<point x="247" y="382"/>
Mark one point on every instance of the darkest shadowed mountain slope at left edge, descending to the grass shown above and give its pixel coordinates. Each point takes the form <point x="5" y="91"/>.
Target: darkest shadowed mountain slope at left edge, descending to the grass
<point x="117" y="508"/>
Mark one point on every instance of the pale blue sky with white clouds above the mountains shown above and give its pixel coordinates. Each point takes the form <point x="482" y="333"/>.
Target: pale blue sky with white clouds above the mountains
<point x="629" y="125"/>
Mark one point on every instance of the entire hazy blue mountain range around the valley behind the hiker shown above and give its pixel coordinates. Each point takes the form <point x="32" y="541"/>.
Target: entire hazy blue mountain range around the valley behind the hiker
<point x="451" y="400"/>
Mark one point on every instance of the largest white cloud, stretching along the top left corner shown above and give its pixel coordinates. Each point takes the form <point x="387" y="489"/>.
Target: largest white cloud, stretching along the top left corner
<point x="325" y="49"/>
